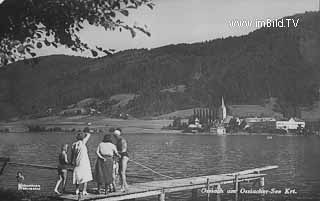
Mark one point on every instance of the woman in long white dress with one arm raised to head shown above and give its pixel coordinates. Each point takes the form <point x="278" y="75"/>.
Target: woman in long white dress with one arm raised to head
<point x="80" y="160"/>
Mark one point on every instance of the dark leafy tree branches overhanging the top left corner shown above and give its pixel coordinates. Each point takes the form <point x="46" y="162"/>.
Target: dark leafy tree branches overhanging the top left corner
<point x="29" y="24"/>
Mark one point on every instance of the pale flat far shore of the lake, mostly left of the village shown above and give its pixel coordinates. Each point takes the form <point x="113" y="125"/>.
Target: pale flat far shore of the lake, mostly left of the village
<point x="102" y="124"/>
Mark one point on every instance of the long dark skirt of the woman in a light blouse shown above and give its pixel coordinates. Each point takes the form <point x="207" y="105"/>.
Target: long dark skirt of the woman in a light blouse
<point x="103" y="170"/>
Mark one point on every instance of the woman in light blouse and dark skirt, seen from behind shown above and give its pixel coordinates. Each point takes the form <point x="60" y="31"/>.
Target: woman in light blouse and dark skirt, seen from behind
<point x="104" y="165"/>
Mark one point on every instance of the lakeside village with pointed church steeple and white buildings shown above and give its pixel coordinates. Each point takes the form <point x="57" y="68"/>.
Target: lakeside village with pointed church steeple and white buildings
<point x="219" y="122"/>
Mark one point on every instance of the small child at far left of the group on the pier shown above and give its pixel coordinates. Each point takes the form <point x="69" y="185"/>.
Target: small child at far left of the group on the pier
<point x="62" y="169"/>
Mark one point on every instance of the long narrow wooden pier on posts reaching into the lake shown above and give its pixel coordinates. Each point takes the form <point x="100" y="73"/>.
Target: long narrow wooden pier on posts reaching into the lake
<point x="162" y="187"/>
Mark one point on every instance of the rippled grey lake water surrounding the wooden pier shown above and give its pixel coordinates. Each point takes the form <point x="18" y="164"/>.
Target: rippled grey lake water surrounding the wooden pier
<point x="180" y="156"/>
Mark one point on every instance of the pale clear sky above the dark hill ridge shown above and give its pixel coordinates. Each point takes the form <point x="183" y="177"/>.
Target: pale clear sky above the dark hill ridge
<point x="188" y="21"/>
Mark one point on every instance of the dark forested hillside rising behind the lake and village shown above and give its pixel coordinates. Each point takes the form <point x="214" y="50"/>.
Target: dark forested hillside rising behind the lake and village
<point x="269" y="62"/>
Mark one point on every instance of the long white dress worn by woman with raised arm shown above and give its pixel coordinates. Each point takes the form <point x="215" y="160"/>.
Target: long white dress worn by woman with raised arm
<point x="82" y="171"/>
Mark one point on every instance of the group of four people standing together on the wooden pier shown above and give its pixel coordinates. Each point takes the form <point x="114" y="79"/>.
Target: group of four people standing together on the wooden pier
<point x="112" y="159"/>
